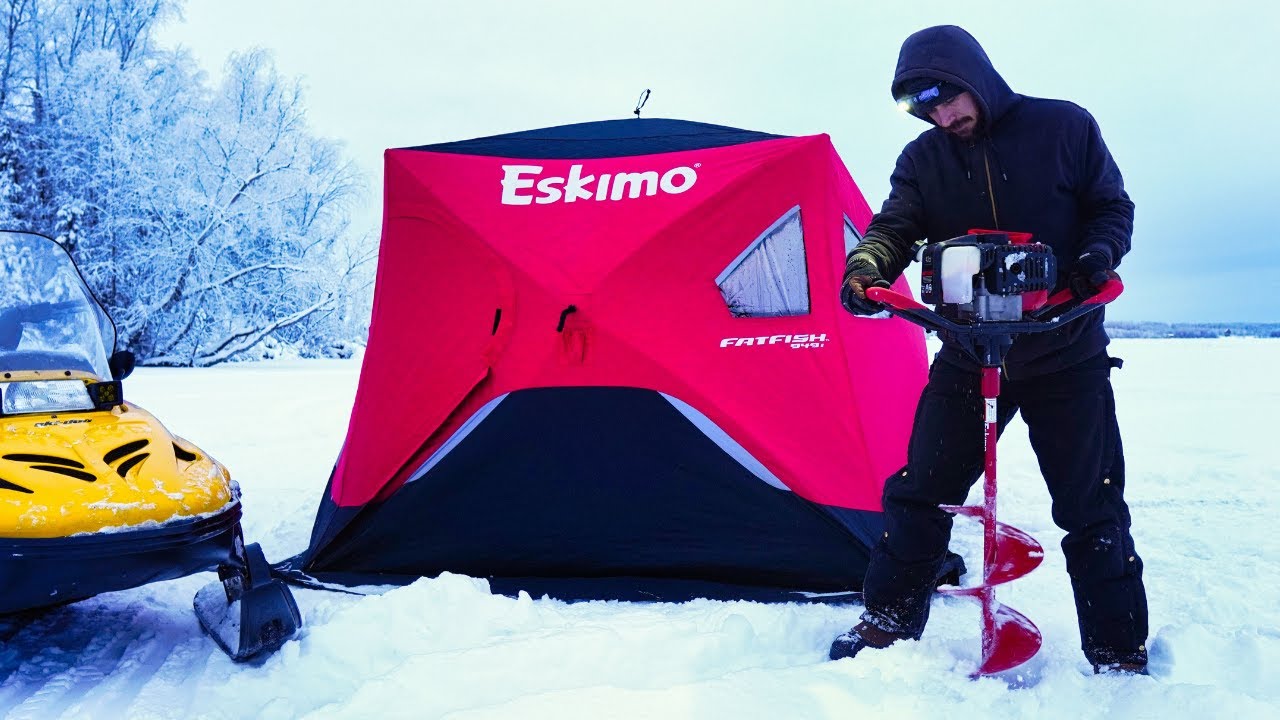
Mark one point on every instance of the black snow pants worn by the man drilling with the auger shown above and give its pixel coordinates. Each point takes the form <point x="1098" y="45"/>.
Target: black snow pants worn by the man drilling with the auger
<point x="1072" y="423"/>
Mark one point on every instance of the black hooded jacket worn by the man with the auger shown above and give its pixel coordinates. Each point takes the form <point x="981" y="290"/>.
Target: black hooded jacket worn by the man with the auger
<point x="1035" y="166"/>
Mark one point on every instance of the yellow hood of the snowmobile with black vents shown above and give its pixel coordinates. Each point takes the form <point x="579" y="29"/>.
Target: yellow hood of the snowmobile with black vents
<point x="88" y="472"/>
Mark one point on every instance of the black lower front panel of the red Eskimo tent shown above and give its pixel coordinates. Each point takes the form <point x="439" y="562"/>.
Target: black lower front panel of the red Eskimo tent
<point x="592" y="482"/>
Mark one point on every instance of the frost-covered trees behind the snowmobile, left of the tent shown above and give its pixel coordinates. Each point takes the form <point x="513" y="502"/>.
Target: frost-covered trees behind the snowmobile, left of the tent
<point x="209" y="221"/>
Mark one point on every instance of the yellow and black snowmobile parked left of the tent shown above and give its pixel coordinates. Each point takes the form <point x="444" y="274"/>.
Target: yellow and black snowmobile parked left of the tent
<point x="95" y="494"/>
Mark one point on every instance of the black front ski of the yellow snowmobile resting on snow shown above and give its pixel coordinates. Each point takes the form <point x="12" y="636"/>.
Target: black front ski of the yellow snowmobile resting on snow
<point x="248" y="613"/>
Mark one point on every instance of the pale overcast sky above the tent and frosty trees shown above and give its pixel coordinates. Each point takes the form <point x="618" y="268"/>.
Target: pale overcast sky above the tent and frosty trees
<point x="1188" y="97"/>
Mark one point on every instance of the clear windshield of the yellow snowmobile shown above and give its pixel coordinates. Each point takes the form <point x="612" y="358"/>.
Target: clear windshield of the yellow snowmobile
<point x="49" y="320"/>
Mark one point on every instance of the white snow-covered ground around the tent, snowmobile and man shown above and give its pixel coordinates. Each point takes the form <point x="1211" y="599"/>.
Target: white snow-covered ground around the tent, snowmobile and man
<point x="1204" y="482"/>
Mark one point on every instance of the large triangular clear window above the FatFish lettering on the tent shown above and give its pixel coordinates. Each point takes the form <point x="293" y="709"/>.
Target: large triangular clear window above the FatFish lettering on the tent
<point x="770" y="279"/>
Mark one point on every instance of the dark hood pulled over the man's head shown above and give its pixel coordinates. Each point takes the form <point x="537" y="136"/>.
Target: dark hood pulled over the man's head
<point x="952" y="54"/>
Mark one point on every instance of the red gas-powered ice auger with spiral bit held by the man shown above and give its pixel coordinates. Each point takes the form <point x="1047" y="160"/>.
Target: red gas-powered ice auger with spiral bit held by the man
<point x="989" y="288"/>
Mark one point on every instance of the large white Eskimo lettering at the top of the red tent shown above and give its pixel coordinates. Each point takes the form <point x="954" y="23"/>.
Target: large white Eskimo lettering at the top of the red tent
<point x="524" y="185"/>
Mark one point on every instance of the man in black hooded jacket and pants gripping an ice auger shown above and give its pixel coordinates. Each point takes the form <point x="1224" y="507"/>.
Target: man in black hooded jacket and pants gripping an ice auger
<point x="1003" y="161"/>
